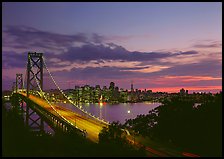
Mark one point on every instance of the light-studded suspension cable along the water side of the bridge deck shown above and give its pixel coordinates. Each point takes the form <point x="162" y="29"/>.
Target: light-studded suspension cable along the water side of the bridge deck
<point x="71" y="100"/>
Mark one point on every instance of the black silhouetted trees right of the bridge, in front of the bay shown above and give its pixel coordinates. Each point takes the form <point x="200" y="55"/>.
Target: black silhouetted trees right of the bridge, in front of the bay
<point x="194" y="128"/>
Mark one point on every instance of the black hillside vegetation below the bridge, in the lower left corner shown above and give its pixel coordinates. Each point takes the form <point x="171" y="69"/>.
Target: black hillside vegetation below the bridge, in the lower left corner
<point x="18" y="141"/>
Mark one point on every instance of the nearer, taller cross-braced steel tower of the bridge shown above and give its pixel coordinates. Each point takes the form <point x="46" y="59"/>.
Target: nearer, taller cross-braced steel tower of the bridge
<point x="34" y="78"/>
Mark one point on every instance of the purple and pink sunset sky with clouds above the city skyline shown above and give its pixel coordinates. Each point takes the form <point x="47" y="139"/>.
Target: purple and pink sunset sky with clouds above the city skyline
<point x="159" y="46"/>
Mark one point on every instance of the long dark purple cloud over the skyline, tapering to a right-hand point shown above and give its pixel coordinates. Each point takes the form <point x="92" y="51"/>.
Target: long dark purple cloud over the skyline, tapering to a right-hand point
<point x="96" y="52"/>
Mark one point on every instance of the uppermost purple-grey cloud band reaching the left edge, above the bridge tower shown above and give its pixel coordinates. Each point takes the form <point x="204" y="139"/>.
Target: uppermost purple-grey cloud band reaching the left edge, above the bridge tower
<point x="30" y="38"/>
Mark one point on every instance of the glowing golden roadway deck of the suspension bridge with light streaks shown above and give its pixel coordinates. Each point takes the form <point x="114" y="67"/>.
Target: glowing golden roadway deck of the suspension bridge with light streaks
<point x="92" y="128"/>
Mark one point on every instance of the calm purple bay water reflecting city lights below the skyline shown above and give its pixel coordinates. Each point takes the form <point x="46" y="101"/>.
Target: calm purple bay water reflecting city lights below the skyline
<point x="116" y="112"/>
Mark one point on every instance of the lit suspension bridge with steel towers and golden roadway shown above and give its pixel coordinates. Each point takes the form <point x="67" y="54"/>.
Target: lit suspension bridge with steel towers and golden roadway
<point x="32" y="100"/>
